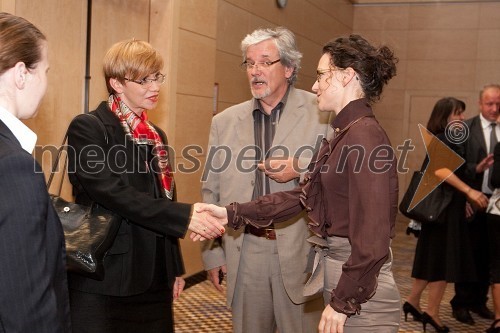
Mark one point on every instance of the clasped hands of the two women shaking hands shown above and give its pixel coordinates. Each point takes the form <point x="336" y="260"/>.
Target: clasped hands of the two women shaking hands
<point x="207" y="221"/>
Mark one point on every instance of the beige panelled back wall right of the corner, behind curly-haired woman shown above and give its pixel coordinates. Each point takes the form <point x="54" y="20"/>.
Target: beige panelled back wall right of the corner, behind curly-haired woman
<point x="445" y="49"/>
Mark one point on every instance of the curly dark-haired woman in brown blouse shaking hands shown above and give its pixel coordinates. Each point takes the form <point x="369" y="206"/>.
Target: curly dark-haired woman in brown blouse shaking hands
<point x="350" y="193"/>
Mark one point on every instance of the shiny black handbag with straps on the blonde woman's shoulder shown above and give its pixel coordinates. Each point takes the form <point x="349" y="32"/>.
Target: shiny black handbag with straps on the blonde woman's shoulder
<point x="89" y="232"/>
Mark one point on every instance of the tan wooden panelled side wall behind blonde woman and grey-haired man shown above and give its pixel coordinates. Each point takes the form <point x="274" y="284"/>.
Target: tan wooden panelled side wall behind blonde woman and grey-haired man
<point x="199" y="40"/>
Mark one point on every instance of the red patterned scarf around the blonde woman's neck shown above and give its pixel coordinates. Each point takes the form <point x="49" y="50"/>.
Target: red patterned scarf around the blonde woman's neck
<point x="140" y="131"/>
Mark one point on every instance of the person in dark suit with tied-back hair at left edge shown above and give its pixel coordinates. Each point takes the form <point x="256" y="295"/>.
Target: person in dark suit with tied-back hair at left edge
<point x="33" y="287"/>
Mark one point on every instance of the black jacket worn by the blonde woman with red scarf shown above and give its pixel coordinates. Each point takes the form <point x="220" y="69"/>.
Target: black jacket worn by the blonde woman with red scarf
<point x="116" y="177"/>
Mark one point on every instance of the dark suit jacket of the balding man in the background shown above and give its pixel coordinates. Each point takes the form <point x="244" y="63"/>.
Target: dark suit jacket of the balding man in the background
<point x="475" y="151"/>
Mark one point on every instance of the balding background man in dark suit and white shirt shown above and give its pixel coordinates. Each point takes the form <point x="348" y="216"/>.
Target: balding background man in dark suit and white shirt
<point x="483" y="136"/>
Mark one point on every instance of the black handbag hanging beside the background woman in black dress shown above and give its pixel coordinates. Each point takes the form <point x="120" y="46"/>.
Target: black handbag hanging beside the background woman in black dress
<point x="430" y="208"/>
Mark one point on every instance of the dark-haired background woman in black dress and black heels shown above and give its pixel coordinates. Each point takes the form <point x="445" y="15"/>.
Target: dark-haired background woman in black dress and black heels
<point x="438" y="255"/>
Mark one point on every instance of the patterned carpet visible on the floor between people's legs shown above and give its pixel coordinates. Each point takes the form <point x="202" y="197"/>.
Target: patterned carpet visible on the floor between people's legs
<point x="202" y="309"/>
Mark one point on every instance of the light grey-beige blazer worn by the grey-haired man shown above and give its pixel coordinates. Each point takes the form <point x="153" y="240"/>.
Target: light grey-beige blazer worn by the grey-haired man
<point x="229" y="180"/>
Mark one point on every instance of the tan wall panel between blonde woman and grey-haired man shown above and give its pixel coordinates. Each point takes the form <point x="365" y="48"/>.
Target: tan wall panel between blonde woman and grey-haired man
<point x="195" y="76"/>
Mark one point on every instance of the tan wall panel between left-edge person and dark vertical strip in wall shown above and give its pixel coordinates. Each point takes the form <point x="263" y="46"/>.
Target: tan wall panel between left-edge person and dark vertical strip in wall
<point x="64" y="97"/>
